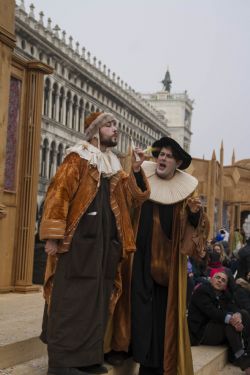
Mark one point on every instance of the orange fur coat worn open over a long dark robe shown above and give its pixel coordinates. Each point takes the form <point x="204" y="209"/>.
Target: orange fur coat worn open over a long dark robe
<point x="69" y="195"/>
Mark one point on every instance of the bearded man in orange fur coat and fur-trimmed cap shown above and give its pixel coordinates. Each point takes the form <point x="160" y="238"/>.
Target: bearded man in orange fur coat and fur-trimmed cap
<point x="88" y="232"/>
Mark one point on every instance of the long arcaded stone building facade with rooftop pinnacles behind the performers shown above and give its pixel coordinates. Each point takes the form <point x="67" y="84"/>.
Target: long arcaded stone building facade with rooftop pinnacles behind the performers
<point x="80" y="84"/>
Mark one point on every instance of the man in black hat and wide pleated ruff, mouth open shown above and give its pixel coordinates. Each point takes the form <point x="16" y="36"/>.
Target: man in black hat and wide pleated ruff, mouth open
<point x="172" y="225"/>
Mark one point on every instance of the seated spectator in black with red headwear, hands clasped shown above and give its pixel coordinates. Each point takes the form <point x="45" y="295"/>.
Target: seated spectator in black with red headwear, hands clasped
<point x="214" y="319"/>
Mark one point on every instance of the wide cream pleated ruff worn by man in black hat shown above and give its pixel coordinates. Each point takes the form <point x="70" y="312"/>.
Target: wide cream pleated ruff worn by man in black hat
<point x="169" y="191"/>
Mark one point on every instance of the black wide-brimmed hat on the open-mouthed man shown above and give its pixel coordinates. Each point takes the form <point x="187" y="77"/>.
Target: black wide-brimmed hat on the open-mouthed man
<point x="167" y="141"/>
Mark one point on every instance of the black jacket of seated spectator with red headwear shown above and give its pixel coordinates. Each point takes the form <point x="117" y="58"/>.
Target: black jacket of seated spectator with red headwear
<point x="205" y="307"/>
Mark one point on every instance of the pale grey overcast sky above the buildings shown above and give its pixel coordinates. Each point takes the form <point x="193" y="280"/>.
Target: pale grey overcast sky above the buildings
<point x="205" y="44"/>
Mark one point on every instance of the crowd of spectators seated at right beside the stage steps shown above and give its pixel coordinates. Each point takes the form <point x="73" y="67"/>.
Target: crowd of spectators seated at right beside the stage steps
<point x="218" y="297"/>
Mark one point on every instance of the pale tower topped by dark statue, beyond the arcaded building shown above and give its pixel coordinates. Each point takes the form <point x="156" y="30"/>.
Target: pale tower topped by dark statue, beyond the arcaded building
<point x="176" y="108"/>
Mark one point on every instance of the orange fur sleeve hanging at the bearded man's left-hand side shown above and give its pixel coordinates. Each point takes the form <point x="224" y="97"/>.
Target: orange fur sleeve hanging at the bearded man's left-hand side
<point x="61" y="190"/>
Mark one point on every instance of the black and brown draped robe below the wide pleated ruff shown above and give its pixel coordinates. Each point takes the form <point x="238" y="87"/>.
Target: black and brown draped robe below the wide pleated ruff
<point x="187" y="235"/>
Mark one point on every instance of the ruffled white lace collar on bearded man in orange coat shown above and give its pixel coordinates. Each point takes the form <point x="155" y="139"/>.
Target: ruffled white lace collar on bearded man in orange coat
<point x="106" y="162"/>
